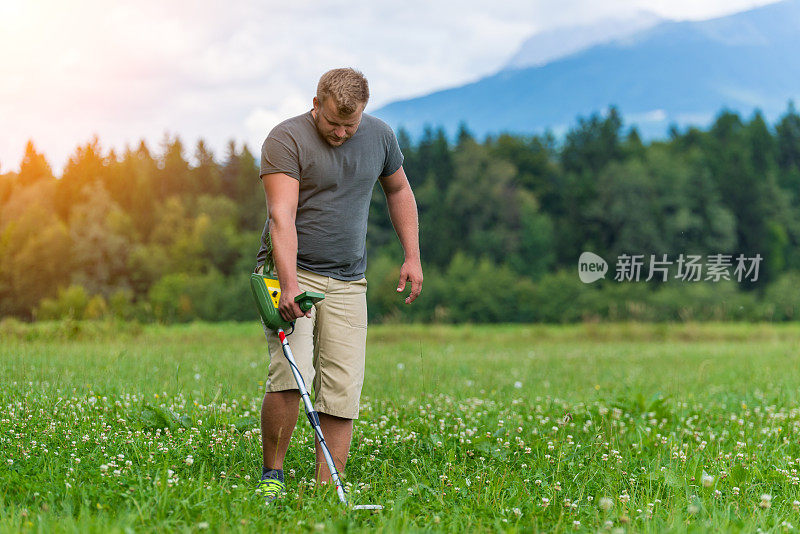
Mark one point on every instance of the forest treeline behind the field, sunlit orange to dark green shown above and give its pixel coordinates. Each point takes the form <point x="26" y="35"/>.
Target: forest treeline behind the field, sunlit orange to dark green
<point x="152" y="237"/>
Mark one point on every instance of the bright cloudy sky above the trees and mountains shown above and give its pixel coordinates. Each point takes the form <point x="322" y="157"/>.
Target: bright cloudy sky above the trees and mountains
<point x="220" y="71"/>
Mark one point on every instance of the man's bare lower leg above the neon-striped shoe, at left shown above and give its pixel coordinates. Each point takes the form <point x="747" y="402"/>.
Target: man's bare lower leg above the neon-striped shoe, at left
<point x="279" y="411"/>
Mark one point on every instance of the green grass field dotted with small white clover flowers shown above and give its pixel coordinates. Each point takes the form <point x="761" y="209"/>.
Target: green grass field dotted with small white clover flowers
<point x="613" y="428"/>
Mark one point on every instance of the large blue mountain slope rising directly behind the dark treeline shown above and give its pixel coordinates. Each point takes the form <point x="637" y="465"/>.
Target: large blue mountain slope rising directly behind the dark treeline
<point x="673" y="73"/>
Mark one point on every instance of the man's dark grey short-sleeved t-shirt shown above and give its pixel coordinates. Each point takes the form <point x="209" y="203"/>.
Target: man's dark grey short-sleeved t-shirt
<point x="336" y="186"/>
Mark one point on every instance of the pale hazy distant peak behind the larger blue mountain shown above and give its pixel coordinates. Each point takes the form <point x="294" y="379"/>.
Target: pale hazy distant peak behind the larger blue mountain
<point x="549" y="45"/>
